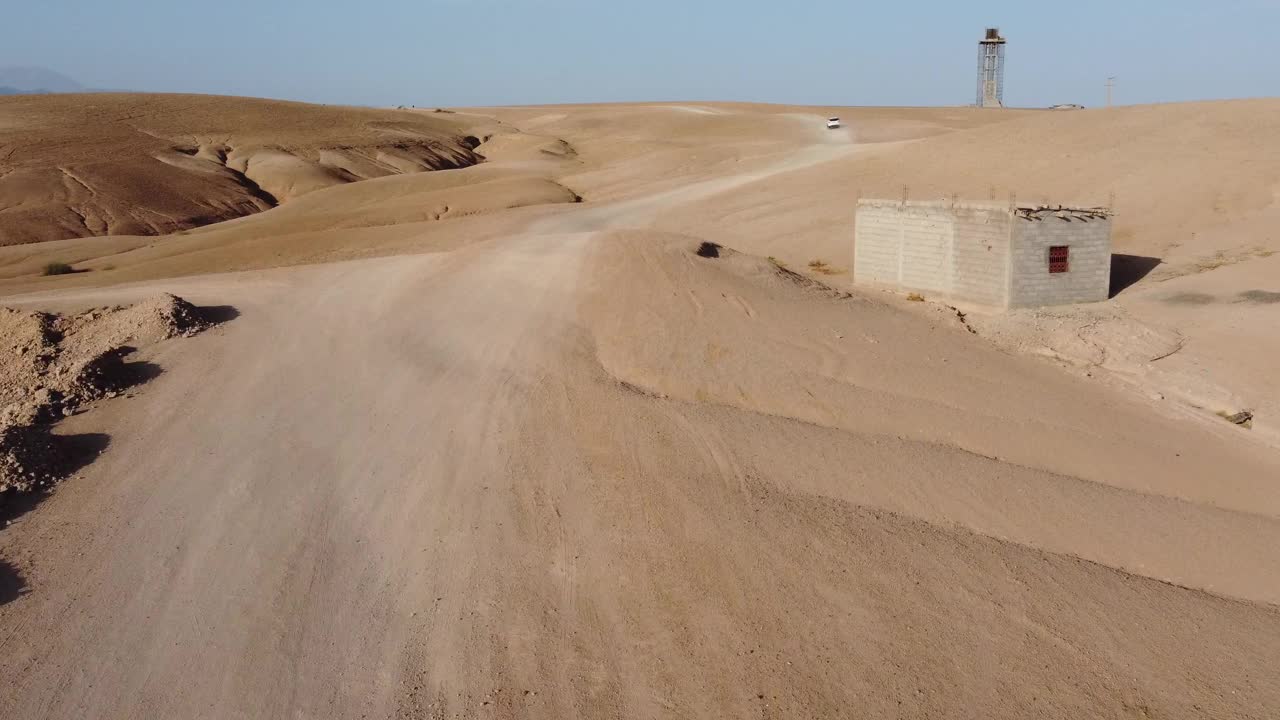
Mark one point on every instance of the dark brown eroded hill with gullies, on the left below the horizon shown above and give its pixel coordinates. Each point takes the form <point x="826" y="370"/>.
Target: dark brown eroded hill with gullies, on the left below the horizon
<point x="80" y="166"/>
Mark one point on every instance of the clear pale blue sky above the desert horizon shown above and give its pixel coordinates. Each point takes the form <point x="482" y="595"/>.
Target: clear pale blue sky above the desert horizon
<point x="525" y="52"/>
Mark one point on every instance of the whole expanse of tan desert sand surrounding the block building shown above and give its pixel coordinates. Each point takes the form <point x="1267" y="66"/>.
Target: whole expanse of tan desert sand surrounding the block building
<point x="582" y="430"/>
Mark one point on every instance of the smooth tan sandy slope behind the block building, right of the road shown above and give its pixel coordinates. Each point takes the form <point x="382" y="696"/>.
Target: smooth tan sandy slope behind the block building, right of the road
<point x="1197" y="193"/>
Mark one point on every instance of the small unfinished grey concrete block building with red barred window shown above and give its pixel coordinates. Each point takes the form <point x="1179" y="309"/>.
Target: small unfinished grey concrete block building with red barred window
<point x="985" y="254"/>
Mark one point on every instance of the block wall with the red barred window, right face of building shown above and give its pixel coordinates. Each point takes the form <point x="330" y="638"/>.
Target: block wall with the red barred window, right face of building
<point x="1089" y="279"/>
